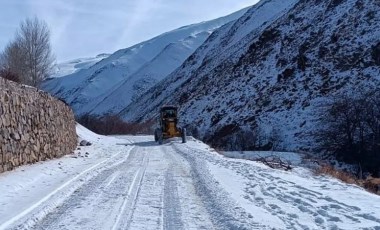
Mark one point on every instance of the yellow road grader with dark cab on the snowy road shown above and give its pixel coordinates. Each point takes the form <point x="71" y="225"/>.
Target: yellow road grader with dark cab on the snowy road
<point x="167" y="125"/>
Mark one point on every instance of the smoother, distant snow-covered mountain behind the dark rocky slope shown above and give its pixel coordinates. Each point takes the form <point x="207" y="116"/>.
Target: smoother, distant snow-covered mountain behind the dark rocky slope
<point x="112" y="83"/>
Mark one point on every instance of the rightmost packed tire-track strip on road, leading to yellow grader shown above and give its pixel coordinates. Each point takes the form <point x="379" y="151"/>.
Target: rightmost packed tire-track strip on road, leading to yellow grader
<point x="183" y="207"/>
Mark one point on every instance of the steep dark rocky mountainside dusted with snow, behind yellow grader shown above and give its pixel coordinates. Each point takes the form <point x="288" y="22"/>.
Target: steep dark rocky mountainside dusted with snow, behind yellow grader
<point x="273" y="74"/>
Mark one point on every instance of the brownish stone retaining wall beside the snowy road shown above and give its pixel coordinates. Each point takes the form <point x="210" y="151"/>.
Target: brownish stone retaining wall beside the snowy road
<point x="34" y="126"/>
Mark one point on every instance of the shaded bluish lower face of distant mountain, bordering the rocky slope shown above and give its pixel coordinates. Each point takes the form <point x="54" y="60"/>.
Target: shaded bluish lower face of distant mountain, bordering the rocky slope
<point x="171" y="57"/>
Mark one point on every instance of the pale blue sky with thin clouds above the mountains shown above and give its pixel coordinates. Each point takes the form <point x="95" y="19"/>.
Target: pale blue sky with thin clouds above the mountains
<point x="85" y="28"/>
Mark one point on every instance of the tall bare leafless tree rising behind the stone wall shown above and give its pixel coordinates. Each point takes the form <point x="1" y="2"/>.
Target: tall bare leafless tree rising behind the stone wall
<point x="29" y="55"/>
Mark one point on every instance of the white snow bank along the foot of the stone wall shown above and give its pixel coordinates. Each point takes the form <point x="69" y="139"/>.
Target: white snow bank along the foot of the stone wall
<point x="31" y="191"/>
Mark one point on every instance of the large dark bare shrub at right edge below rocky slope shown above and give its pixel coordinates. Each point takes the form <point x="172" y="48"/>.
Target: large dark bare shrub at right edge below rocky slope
<point x="350" y="129"/>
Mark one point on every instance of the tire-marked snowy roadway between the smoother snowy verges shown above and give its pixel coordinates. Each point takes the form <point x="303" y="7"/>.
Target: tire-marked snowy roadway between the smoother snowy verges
<point x="141" y="192"/>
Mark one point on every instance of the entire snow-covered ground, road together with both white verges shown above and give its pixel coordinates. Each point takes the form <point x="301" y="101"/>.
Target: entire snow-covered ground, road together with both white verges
<point x="130" y="182"/>
